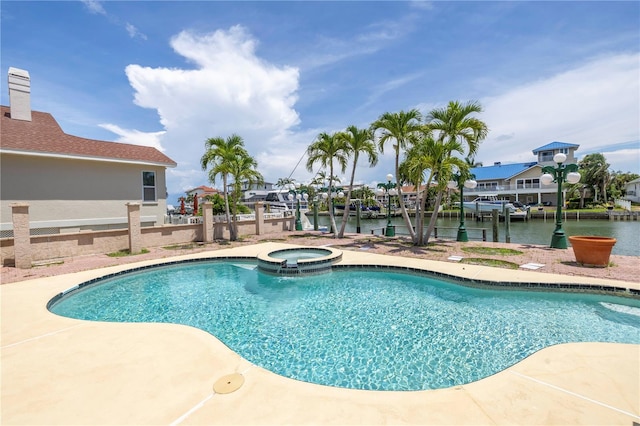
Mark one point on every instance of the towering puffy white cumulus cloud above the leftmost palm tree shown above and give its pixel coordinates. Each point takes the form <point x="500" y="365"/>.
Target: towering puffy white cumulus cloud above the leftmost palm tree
<point x="230" y="90"/>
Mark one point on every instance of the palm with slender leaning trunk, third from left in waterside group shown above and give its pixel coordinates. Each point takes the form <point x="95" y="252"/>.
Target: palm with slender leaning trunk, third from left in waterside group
<point x="399" y="128"/>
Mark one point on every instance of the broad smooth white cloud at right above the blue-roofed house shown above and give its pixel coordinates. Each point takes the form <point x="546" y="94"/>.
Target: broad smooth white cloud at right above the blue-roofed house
<point x="594" y="105"/>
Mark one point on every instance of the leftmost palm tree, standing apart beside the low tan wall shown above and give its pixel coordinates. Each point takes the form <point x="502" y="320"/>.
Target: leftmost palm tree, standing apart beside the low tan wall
<point x="219" y="155"/>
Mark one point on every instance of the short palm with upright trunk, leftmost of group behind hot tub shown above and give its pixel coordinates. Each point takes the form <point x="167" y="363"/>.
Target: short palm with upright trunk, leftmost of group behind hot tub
<point x="324" y="150"/>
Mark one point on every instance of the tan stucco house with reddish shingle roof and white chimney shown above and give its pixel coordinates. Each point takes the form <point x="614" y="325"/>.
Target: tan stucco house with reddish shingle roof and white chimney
<point x="72" y="183"/>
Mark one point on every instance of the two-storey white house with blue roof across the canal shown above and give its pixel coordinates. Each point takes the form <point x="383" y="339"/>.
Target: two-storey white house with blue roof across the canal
<point x="521" y="181"/>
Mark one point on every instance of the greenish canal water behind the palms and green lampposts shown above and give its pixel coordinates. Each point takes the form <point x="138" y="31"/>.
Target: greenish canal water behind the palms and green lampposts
<point x="534" y="231"/>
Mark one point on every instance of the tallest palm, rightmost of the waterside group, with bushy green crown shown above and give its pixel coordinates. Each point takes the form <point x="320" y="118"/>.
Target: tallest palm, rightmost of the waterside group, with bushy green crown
<point x="453" y="124"/>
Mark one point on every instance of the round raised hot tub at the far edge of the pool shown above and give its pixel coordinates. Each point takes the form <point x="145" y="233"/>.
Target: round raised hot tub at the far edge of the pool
<point x="299" y="260"/>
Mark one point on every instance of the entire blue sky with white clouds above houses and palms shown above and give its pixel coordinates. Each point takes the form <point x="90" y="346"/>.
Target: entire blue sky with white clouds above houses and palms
<point x="171" y="74"/>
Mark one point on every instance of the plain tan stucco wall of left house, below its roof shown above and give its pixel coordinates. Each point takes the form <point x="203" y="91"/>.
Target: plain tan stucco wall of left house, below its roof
<point x="66" y="189"/>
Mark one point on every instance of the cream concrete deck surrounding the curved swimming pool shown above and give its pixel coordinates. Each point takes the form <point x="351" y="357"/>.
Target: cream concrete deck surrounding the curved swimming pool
<point x="58" y="370"/>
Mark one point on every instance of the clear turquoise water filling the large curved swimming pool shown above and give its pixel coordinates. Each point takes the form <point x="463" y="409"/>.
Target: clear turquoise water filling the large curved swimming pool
<point x="358" y="329"/>
